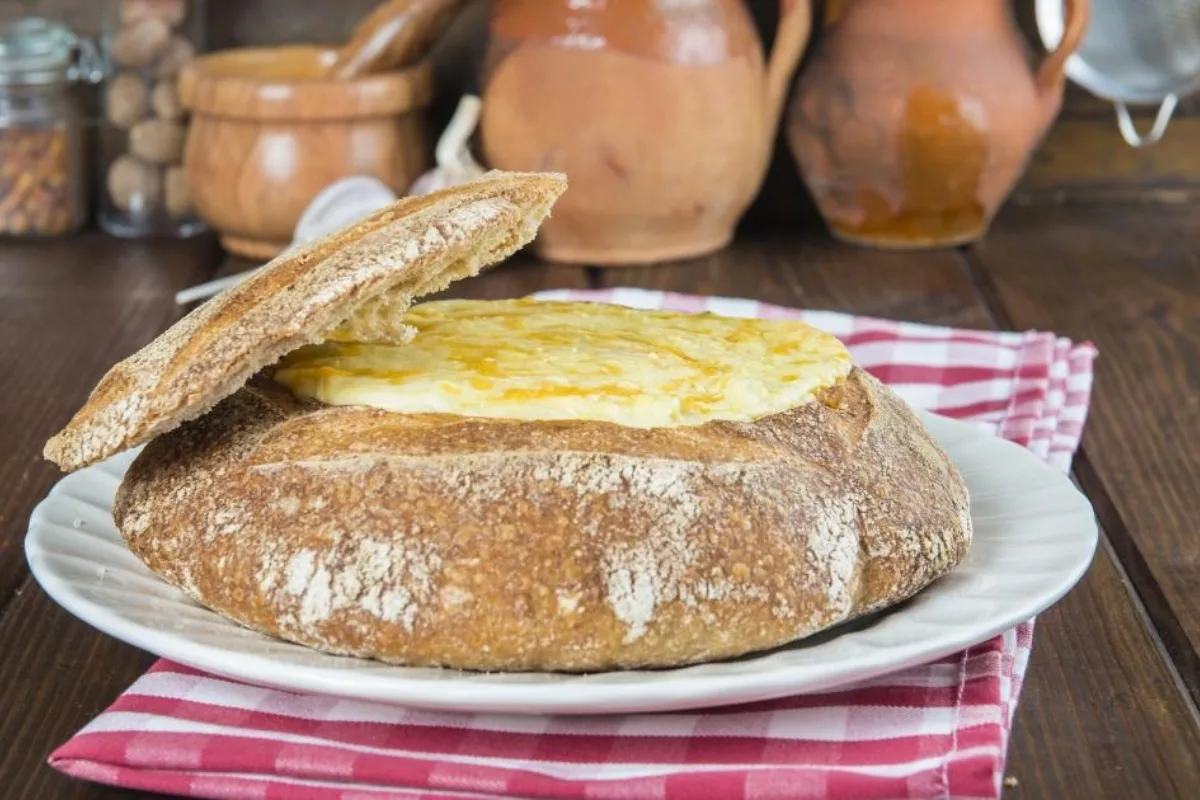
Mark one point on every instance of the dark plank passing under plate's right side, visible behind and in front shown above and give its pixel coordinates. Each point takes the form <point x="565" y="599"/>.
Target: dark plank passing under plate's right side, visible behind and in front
<point x="1102" y="715"/>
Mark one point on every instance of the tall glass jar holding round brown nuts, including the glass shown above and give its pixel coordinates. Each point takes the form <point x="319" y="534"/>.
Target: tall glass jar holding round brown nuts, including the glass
<point x="146" y="45"/>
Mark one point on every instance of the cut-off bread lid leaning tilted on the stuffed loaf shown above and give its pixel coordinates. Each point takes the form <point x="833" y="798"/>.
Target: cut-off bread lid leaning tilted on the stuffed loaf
<point x="370" y="272"/>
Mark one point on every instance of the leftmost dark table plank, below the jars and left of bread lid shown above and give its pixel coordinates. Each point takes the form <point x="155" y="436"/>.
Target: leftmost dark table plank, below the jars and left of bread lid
<point x="68" y="311"/>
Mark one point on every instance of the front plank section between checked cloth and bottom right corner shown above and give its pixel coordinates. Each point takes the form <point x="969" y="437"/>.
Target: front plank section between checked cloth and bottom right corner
<point x="1102" y="715"/>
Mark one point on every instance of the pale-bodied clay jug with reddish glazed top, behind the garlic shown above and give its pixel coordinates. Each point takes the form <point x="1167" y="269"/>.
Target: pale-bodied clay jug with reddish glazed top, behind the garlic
<point x="661" y="112"/>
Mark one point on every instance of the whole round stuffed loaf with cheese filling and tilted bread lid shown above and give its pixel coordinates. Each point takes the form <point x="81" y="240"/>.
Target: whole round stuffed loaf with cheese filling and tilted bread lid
<point x="514" y="485"/>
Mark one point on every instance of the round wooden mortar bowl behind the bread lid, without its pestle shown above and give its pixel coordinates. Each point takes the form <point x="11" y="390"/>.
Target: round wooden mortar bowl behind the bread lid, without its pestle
<point x="269" y="133"/>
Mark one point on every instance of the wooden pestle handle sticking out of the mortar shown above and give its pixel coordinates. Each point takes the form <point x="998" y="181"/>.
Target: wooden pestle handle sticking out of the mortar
<point x="398" y="34"/>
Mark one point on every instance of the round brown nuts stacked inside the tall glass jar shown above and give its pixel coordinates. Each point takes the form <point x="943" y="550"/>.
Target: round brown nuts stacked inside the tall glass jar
<point x="148" y="53"/>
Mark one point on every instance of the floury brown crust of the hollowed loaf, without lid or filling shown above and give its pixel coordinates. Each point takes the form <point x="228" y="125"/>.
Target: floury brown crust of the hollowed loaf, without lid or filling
<point x="495" y="545"/>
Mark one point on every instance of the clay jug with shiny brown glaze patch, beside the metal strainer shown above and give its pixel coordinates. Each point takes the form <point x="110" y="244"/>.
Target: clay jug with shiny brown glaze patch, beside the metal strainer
<point x="917" y="118"/>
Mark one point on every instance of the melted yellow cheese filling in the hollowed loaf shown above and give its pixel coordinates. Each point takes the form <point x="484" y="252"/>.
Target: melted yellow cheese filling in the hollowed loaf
<point x="536" y="360"/>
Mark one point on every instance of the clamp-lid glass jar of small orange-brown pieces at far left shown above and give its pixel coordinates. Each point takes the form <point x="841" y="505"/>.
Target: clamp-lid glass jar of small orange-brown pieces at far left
<point x="44" y="176"/>
